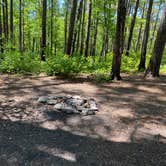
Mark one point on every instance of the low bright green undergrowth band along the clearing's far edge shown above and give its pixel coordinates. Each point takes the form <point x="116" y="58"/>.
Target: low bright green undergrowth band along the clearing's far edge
<point x="60" y="64"/>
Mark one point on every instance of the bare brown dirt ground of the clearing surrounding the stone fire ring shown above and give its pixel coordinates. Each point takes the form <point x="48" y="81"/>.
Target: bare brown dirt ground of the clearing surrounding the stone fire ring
<point x="128" y="130"/>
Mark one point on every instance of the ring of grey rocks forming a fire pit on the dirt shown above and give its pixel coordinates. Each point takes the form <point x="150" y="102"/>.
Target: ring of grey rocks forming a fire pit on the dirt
<point x="71" y="104"/>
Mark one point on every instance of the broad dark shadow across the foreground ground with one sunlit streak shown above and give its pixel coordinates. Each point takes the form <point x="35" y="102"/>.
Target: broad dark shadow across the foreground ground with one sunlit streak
<point x="27" y="144"/>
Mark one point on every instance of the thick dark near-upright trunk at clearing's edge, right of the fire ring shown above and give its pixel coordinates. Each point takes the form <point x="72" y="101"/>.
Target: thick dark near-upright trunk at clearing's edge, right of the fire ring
<point x="119" y="37"/>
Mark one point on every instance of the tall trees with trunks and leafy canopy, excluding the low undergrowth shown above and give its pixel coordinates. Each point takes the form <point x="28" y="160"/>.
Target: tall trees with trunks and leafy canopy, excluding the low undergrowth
<point x="87" y="28"/>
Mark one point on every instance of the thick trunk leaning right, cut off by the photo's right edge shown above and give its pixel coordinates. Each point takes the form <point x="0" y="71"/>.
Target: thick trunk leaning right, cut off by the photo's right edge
<point x="155" y="61"/>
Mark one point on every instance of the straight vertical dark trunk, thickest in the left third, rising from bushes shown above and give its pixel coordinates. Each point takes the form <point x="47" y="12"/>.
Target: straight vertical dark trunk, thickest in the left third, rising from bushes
<point x="43" y="38"/>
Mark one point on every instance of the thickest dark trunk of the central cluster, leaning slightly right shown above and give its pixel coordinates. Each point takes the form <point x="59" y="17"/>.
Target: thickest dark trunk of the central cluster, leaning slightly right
<point x="71" y="27"/>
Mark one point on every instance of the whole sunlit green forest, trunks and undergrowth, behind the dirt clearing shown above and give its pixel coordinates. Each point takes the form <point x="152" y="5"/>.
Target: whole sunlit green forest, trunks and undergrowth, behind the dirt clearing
<point x="82" y="36"/>
